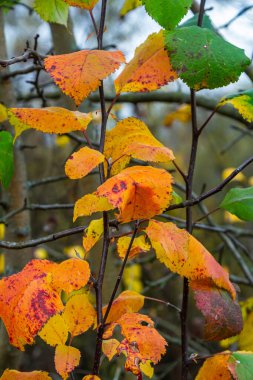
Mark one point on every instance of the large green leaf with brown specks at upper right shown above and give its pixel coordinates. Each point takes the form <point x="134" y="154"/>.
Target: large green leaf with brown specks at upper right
<point x="203" y="59"/>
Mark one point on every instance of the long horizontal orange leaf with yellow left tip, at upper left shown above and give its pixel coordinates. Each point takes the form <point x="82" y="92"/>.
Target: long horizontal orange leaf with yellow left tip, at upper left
<point x="48" y="120"/>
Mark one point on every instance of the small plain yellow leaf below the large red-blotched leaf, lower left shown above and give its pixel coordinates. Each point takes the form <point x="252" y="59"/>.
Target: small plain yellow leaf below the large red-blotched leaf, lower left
<point x="54" y="331"/>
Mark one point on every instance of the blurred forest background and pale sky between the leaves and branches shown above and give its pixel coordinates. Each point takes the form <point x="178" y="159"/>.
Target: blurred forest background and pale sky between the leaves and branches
<point x="40" y="199"/>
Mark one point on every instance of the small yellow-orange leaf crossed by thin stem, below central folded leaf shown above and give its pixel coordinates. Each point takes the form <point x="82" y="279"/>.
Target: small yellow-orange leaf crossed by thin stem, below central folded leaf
<point x="139" y="245"/>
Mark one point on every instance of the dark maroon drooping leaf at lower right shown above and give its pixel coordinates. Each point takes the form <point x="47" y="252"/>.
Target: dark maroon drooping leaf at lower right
<point x="223" y="317"/>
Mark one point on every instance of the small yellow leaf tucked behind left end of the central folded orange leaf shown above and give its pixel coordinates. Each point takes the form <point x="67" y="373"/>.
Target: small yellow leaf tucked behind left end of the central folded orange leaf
<point x="89" y="204"/>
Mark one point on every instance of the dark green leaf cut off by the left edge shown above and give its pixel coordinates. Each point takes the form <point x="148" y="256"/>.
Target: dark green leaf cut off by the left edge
<point x="6" y="158"/>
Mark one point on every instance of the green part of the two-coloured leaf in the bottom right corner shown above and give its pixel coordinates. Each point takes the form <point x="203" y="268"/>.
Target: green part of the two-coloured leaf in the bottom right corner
<point x="241" y="365"/>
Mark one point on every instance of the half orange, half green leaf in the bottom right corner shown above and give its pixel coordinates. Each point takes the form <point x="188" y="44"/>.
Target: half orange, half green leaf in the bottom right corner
<point x="228" y="366"/>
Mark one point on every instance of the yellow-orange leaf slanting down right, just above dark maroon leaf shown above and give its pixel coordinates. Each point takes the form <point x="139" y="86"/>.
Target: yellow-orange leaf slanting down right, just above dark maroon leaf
<point x="185" y="255"/>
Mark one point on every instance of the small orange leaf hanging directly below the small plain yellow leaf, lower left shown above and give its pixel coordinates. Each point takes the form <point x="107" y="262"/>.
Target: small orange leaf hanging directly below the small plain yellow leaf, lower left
<point x="66" y="359"/>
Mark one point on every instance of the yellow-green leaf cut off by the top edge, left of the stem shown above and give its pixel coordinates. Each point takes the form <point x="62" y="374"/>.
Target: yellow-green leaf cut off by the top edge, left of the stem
<point x="52" y="11"/>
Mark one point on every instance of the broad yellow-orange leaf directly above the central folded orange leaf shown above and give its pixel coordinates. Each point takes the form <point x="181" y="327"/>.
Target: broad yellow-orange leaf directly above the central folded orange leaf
<point x="132" y="138"/>
